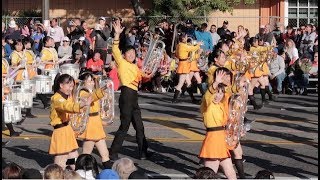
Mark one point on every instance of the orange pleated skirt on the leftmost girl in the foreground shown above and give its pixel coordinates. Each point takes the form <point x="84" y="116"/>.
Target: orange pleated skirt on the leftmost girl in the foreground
<point x="63" y="141"/>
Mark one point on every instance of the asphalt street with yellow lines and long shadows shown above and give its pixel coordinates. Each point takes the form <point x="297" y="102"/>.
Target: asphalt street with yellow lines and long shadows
<point x="283" y="138"/>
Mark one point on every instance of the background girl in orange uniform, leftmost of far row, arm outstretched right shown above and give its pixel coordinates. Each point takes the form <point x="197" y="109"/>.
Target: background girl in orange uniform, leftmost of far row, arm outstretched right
<point x="183" y="70"/>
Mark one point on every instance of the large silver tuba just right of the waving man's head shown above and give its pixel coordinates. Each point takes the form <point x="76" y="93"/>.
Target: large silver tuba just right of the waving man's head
<point x="154" y="54"/>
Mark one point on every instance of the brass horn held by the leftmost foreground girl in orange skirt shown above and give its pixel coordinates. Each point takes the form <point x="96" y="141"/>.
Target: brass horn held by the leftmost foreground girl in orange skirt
<point x="78" y="121"/>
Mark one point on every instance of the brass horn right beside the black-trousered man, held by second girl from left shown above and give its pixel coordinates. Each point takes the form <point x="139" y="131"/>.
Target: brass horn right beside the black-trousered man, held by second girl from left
<point x="107" y="102"/>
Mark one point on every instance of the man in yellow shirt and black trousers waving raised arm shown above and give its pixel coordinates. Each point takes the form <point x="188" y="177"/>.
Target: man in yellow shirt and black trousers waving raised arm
<point x="130" y="76"/>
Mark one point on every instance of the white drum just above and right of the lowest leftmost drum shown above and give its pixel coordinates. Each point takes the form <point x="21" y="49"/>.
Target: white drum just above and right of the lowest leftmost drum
<point x="24" y="96"/>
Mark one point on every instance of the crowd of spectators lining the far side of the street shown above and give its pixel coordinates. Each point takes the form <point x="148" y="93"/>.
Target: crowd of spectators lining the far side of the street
<point x="91" y="47"/>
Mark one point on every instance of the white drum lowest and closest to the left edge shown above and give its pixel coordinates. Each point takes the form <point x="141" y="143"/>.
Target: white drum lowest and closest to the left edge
<point x="11" y="111"/>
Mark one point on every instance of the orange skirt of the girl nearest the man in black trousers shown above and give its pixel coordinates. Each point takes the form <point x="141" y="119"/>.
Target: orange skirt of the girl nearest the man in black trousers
<point x="94" y="130"/>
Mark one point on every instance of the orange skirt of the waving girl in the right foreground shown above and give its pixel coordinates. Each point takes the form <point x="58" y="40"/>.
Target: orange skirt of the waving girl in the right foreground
<point x="214" y="146"/>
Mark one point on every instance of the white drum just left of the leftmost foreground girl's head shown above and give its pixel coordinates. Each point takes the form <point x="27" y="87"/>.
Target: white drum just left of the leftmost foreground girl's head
<point x="43" y="84"/>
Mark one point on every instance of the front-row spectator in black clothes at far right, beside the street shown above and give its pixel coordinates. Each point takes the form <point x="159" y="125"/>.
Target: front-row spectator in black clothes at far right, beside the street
<point x="299" y="75"/>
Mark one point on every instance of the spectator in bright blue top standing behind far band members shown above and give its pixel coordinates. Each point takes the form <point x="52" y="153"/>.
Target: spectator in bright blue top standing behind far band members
<point x="204" y="36"/>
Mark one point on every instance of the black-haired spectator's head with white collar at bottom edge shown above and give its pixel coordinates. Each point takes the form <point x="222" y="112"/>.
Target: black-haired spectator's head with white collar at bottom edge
<point x="86" y="166"/>
